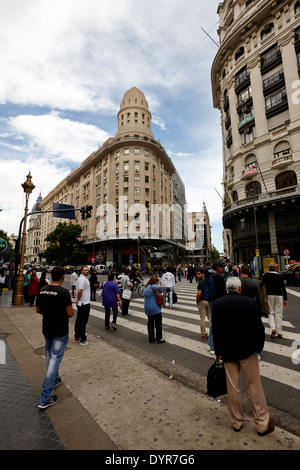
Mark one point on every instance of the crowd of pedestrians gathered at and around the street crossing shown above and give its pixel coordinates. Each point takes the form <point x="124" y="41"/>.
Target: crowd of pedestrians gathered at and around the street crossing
<point x="231" y="301"/>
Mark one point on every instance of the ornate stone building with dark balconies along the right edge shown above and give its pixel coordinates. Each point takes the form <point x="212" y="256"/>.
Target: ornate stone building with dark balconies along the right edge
<point x="256" y="87"/>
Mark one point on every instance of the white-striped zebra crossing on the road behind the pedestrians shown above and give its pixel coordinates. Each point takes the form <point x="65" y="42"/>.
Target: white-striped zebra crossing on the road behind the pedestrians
<point x="181" y="327"/>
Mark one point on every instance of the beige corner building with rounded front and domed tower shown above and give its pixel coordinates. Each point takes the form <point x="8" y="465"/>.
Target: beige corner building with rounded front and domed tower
<point x="138" y="198"/>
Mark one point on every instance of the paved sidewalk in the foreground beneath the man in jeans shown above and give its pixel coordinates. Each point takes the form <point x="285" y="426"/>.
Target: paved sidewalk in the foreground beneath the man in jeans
<point x="108" y="400"/>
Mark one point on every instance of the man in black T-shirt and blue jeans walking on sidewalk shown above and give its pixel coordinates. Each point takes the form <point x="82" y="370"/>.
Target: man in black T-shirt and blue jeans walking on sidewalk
<point x="55" y="305"/>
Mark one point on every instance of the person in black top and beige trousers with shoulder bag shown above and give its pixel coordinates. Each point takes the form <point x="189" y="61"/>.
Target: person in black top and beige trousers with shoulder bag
<point x="277" y="298"/>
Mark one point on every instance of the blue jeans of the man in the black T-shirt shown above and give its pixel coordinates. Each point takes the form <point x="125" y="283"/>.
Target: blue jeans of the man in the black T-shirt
<point x="55" y="348"/>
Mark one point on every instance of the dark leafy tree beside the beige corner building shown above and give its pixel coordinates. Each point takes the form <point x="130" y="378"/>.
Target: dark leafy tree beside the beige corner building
<point x="64" y="245"/>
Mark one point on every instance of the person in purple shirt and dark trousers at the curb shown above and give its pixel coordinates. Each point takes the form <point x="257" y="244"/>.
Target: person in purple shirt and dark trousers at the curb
<point x="110" y="298"/>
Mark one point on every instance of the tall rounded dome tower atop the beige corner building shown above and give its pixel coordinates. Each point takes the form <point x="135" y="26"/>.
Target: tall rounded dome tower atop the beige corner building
<point x="134" y="116"/>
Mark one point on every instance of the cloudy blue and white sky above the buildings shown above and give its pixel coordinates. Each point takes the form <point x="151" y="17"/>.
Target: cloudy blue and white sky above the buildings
<point x="65" y="67"/>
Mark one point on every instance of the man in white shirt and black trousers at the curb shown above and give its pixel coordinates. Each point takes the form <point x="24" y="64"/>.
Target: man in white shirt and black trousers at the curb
<point x="83" y="306"/>
